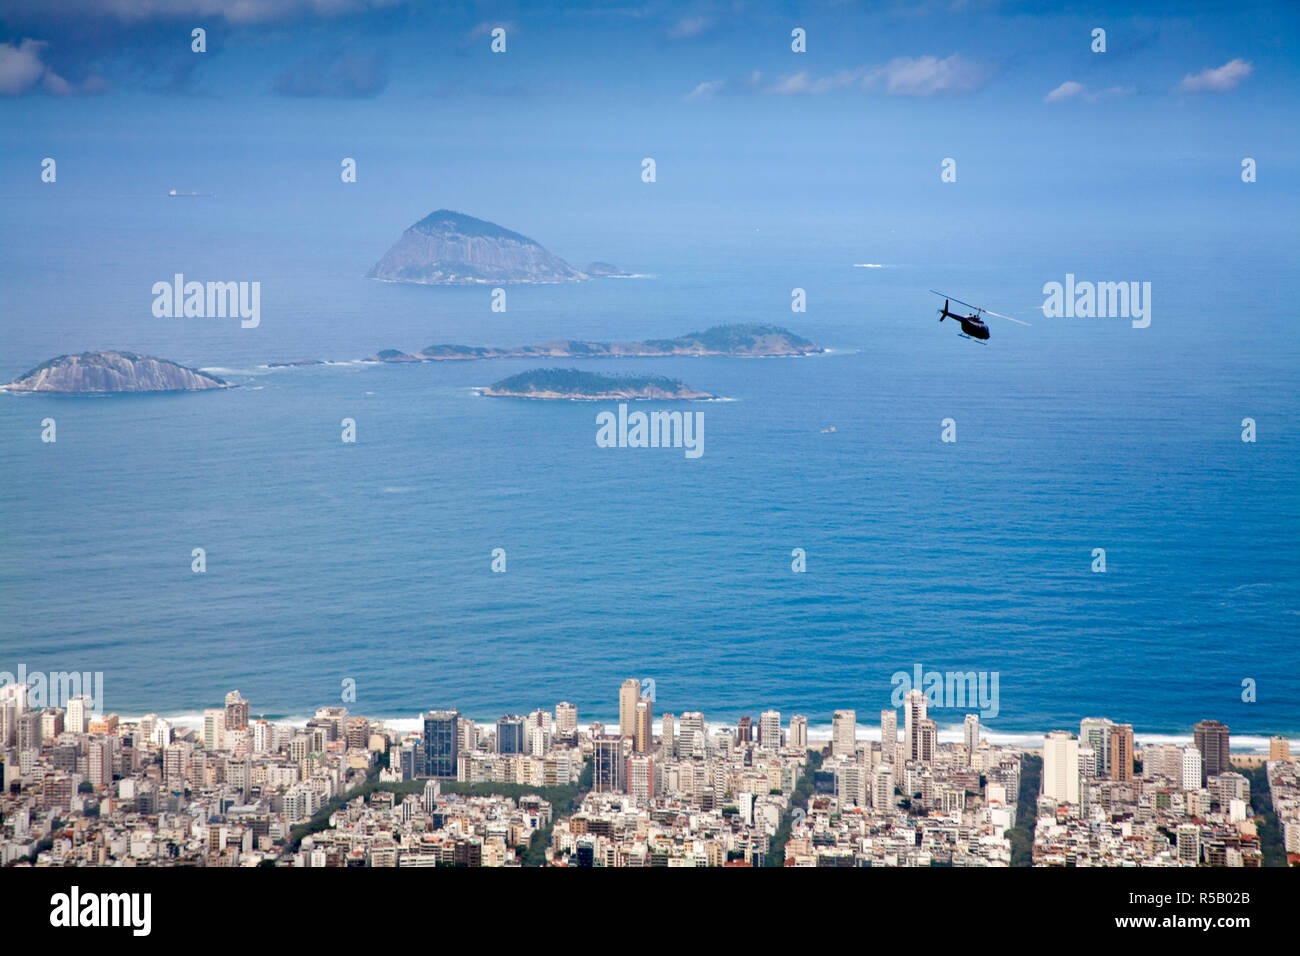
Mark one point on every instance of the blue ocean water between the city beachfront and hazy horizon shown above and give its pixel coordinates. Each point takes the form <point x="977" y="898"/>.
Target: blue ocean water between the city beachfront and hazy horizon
<point x="372" y="561"/>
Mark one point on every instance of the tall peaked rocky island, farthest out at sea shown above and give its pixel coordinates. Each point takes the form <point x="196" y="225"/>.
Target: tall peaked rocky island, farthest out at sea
<point x="452" y="249"/>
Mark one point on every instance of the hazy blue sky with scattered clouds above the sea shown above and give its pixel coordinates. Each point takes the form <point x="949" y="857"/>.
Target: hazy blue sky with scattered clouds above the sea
<point x="549" y="137"/>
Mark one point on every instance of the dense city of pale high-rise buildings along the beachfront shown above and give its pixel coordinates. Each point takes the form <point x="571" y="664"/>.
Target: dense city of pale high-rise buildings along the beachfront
<point x="343" y="790"/>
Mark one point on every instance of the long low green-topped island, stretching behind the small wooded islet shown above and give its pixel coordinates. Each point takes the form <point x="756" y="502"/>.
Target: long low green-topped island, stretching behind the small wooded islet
<point x="736" y="341"/>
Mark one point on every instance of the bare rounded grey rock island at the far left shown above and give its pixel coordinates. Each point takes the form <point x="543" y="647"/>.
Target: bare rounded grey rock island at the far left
<point x="114" y="371"/>
